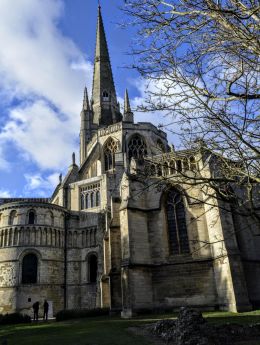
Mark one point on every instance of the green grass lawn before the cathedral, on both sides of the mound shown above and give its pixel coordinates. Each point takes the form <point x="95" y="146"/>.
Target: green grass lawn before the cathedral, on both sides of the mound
<point x="100" y="331"/>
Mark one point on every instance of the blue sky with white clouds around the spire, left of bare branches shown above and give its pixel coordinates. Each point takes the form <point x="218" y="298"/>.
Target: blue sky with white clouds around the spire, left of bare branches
<point x="47" y="49"/>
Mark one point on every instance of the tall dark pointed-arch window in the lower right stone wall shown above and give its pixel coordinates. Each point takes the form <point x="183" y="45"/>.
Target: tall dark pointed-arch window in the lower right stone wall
<point x="177" y="229"/>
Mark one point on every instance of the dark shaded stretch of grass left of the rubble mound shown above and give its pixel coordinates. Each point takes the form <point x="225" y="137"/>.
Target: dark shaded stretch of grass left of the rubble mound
<point x="81" y="332"/>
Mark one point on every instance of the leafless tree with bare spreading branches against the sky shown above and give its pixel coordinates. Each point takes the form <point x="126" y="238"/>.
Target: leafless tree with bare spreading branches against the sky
<point x="201" y="62"/>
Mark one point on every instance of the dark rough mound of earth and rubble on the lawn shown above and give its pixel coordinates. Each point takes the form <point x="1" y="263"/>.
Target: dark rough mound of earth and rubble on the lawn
<point x="192" y="329"/>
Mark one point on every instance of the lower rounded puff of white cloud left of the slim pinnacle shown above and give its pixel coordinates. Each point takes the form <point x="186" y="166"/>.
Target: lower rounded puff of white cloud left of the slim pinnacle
<point x="37" y="130"/>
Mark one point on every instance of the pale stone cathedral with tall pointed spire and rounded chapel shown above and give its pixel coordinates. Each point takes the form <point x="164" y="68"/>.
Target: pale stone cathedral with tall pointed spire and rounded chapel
<point x="122" y="229"/>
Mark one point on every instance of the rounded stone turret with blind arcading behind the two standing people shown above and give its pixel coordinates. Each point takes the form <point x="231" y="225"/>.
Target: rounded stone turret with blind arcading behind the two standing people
<point x="31" y="255"/>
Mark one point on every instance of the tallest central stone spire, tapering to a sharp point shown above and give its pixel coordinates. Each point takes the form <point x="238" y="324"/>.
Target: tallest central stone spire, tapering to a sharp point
<point x="104" y="100"/>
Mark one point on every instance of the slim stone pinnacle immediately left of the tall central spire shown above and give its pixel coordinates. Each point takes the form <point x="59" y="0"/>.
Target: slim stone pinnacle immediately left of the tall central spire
<point x="85" y="127"/>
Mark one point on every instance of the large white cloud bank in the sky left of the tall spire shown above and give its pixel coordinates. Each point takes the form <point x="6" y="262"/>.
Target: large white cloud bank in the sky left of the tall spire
<point x="45" y="70"/>
